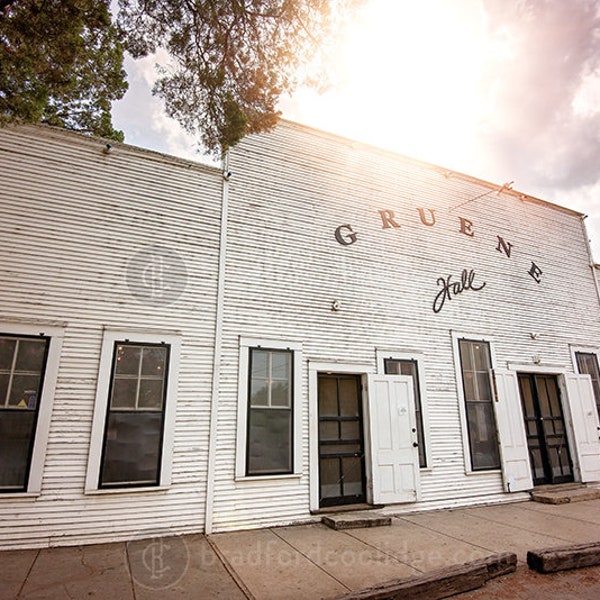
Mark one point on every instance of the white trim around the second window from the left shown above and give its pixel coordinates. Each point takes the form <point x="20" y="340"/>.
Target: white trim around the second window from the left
<point x="101" y="404"/>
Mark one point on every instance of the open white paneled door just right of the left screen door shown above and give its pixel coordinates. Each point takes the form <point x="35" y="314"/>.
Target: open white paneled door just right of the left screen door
<point x="394" y="449"/>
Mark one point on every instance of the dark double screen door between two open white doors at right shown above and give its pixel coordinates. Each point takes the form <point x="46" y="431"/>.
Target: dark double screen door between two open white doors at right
<point x="545" y="426"/>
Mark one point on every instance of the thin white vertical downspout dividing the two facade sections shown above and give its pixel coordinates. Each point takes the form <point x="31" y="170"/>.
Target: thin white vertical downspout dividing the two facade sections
<point x="214" y="404"/>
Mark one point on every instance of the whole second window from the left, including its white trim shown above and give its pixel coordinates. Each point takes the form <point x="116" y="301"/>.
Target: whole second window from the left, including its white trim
<point x="134" y="415"/>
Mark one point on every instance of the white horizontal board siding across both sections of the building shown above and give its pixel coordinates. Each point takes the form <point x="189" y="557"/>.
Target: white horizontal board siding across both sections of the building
<point x="73" y="216"/>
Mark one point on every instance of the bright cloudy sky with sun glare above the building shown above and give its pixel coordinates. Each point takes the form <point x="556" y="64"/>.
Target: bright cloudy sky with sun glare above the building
<point x="503" y="90"/>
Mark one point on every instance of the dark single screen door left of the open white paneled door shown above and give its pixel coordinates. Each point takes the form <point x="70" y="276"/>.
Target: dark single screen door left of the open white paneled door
<point x="341" y="444"/>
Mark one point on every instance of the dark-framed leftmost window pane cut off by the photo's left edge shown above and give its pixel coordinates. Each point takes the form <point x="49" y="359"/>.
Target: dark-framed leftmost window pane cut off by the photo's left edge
<point x="22" y="365"/>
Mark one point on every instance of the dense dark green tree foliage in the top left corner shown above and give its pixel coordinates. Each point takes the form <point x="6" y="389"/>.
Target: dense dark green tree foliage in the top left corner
<point x="61" y="63"/>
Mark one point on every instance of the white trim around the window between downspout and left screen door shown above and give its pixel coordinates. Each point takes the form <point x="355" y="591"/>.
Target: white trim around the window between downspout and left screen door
<point x="246" y="343"/>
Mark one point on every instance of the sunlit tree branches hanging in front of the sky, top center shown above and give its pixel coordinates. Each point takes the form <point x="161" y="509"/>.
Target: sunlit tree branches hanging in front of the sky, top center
<point x="230" y="60"/>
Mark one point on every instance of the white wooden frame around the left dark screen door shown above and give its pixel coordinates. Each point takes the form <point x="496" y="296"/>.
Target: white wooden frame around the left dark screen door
<point x="314" y="368"/>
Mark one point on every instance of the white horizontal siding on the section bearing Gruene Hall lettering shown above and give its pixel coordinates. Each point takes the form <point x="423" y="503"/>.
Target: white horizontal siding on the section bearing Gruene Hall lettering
<point x="290" y="189"/>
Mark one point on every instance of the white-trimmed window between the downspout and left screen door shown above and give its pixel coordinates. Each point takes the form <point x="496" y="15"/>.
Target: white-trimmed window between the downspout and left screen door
<point x="268" y="430"/>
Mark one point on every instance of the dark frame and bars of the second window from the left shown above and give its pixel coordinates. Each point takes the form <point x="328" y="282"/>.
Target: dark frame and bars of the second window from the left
<point x="144" y="483"/>
